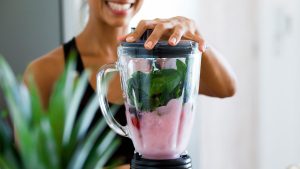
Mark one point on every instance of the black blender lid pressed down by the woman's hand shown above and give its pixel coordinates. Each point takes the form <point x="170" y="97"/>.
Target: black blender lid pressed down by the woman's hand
<point x="161" y="49"/>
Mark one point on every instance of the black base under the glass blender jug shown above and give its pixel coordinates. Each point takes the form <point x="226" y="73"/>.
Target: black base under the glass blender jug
<point x="183" y="162"/>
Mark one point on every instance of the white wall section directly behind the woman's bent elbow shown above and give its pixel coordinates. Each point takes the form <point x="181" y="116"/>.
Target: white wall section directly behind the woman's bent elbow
<point x="229" y="126"/>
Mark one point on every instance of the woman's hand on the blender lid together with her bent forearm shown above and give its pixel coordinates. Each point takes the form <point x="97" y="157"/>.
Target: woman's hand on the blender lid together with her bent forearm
<point x="217" y="78"/>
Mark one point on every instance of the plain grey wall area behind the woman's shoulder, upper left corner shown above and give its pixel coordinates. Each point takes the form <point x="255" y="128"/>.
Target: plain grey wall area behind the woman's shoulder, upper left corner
<point x="28" y="30"/>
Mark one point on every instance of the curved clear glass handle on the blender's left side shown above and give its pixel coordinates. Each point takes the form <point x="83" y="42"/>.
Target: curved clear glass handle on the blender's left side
<point x="102" y="96"/>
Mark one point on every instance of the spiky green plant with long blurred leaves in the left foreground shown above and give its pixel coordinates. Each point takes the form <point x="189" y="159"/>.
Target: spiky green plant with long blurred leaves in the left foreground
<point x="56" y="138"/>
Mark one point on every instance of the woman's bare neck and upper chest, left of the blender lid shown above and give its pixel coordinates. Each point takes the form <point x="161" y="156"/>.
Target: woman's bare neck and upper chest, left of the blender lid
<point x="99" y="39"/>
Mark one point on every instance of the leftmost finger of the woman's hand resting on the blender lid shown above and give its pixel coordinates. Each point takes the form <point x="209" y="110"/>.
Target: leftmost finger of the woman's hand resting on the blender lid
<point x="140" y="29"/>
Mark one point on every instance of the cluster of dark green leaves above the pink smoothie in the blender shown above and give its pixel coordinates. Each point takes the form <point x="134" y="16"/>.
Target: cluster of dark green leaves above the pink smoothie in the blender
<point x="147" y="91"/>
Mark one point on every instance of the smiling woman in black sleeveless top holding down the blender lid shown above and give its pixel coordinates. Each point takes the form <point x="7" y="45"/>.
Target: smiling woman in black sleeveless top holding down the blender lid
<point x="97" y="44"/>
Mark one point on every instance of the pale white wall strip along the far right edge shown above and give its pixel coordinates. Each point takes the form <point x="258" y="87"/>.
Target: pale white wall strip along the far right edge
<point x="279" y="111"/>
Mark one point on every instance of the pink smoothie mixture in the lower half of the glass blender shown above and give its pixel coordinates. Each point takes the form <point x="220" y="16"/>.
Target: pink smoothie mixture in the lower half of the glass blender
<point x="163" y="133"/>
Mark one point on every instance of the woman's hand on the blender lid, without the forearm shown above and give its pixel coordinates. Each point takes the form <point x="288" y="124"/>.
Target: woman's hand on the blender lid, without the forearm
<point x="174" y="29"/>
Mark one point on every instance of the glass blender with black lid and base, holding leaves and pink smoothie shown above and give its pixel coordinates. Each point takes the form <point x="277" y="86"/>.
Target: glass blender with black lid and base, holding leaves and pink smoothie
<point x="159" y="89"/>
